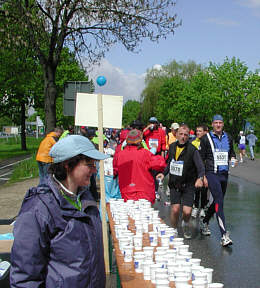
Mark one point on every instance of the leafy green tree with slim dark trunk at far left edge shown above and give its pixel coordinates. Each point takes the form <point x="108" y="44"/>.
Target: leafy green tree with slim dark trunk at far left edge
<point x="16" y="86"/>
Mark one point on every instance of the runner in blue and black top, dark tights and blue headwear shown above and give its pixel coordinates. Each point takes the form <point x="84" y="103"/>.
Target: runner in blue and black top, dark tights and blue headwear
<point x="216" y="151"/>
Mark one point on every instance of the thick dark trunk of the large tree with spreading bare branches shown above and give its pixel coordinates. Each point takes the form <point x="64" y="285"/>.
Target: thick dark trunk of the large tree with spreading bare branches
<point x="50" y="95"/>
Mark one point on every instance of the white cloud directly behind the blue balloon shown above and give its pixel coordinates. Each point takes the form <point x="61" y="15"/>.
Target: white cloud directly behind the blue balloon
<point x="130" y="86"/>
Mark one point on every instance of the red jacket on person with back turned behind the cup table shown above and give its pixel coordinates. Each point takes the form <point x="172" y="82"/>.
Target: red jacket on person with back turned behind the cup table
<point x="133" y="167"/>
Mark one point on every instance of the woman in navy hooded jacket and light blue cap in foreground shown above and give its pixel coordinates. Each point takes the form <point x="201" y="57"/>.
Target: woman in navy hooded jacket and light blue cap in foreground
<point x="58" y="232"/>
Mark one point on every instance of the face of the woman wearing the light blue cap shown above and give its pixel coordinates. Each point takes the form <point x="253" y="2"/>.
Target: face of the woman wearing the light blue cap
<point x="81" y="174"/>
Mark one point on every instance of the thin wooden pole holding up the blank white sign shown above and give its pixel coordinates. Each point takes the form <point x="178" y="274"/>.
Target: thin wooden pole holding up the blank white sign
<point x="102" y="183"/>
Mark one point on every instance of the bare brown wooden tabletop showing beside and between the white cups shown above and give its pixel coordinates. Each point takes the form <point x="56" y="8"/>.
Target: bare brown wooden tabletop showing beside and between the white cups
<point x="128" y="277"/>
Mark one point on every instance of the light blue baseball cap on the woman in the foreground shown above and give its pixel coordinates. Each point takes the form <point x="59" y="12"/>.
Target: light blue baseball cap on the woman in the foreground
<point x="74" y="145"/>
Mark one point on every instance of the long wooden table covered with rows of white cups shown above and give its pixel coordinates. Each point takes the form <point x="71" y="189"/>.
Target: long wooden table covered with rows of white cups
<point x="149" y="253"/>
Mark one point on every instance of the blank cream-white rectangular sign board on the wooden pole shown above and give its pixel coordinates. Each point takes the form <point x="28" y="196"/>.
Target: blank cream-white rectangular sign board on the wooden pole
<point x="86" y="113"/>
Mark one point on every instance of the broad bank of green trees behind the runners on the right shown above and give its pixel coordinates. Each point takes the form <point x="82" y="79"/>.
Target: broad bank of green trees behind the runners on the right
<point x="228" y="89"/>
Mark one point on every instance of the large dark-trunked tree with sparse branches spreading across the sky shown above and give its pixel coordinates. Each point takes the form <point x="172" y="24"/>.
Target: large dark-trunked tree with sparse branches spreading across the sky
<point x="89" y="27"/>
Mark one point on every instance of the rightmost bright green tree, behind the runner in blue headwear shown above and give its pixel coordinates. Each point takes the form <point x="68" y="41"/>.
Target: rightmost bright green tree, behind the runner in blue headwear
<point x="238" y="94"/>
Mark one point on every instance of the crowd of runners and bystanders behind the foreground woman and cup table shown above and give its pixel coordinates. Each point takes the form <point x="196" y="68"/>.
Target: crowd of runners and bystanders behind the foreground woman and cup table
<point x="193" y="165"/>
